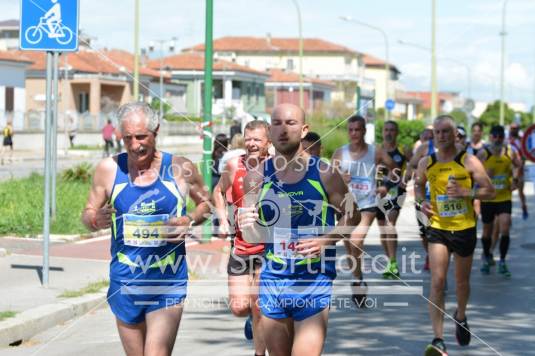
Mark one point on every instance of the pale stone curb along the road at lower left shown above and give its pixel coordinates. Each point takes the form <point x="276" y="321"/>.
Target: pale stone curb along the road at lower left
<point x="33" y="321"/>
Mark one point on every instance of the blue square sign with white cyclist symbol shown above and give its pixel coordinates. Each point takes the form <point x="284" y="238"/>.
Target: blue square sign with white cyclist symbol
<point x="49" y="25"/>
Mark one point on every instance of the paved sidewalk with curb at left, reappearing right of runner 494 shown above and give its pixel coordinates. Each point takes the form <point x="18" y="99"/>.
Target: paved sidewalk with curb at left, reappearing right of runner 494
<point x="73" y="266"/>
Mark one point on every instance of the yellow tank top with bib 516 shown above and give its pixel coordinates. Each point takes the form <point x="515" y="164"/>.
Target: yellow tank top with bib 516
<point x="451" y="214"/>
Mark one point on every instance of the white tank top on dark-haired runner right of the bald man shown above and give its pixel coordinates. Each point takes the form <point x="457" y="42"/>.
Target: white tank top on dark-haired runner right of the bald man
<point x="362" y="172"/>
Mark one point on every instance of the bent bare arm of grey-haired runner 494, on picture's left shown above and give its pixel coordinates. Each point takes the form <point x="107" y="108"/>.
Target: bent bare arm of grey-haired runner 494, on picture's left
<point x="97" y="213"/>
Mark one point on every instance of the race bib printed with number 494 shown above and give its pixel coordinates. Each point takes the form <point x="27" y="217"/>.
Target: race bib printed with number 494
<point x="144" y="230"/>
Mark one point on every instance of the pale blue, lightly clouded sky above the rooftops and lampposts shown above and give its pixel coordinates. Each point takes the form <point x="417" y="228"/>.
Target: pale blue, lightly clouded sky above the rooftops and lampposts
<point x="467" y="33"/>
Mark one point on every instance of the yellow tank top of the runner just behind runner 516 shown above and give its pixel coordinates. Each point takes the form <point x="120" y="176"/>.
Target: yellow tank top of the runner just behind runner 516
<point x="500" y="170"/>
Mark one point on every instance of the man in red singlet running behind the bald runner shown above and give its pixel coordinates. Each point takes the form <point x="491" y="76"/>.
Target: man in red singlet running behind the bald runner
<point x="245" y="258"/>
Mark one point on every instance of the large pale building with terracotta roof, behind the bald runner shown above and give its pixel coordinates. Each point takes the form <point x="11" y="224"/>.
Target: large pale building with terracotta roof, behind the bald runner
<point x="321" y="60"/>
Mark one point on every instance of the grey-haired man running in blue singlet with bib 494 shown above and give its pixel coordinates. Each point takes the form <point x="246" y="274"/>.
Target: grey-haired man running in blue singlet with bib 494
<point x="141" y="194"/>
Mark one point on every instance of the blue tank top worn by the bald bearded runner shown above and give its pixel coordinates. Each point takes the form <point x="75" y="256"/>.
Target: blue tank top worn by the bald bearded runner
<point x="292" y="212"/>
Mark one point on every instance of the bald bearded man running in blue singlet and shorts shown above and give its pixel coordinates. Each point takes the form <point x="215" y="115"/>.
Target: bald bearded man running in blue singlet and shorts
<point x="296" y="195"/>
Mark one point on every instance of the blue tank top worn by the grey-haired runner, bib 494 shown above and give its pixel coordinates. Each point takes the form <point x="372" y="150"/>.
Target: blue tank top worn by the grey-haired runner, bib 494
<point x="137" y="250"/>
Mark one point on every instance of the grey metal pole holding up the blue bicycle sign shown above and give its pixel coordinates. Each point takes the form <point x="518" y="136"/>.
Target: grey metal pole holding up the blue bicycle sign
<point x="48" y="149"/>
